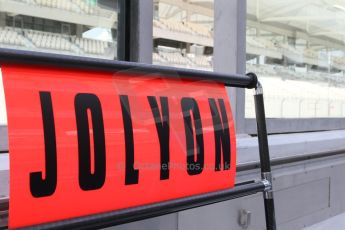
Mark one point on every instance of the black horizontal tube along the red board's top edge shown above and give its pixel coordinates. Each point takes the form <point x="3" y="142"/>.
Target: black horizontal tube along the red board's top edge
<point x="66" y="61"/>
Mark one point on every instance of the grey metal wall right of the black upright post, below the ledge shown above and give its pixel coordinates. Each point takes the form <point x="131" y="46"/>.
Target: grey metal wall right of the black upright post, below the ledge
<point x="307" y="173"/>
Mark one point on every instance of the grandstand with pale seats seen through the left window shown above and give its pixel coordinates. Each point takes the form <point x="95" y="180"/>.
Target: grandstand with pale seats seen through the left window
<point x="52" y="33"/>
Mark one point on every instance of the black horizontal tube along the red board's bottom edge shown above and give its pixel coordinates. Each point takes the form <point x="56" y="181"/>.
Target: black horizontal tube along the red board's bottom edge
<point x="123" y="216"/>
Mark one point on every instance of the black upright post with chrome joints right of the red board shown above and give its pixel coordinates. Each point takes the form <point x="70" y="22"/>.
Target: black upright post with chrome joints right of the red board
<point x="264" y="155"/>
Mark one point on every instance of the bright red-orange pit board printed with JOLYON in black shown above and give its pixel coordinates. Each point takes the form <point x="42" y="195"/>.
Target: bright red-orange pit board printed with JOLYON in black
<point x="86" y="142"/>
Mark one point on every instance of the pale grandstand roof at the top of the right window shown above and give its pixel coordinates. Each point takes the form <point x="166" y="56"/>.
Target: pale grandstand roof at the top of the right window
<point x="319" y="21"/>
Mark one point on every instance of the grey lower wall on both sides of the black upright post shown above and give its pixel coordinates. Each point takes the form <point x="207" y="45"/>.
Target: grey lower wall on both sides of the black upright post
<point x="303" y="197"/>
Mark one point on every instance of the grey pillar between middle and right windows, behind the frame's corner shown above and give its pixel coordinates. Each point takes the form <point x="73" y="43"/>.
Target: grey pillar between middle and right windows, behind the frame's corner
<point x="230" y="49"/>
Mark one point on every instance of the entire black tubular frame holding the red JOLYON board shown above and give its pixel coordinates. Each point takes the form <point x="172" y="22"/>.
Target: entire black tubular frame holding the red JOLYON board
<point x="9" y="56"/>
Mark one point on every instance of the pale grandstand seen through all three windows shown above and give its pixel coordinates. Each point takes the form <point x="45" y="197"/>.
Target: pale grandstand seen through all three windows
<point x="184" y="38"/>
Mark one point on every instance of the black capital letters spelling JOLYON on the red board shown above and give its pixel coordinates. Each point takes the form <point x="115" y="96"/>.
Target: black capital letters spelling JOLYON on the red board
<point x="83" y="102"/>
